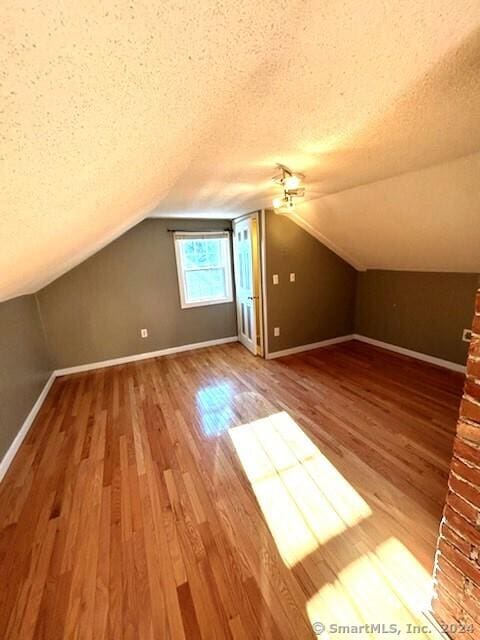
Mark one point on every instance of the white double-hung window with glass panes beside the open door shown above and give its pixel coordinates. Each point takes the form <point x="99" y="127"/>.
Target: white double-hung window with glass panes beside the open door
<point x="204" y="268"/>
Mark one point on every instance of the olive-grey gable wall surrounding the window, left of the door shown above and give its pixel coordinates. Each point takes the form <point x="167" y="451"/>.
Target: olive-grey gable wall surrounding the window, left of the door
<point x="96" y="311"/>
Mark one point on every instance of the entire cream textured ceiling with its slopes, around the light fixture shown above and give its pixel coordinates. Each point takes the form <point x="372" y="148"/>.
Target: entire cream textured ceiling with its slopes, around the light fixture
<point x="111" y="111"/>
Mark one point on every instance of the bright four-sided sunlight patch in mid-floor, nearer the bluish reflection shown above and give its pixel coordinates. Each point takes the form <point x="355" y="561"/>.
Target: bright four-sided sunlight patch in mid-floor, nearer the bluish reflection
<point x="304" y="499"/>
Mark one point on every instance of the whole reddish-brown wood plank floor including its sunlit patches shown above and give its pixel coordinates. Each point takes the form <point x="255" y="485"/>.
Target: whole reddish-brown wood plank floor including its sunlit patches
<point x="212" y="494"/>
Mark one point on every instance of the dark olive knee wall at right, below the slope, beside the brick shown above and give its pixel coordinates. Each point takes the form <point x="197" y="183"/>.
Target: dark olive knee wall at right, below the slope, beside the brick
<point x="422" y="311"/>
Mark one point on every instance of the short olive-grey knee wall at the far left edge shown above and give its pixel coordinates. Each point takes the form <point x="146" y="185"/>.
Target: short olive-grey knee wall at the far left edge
<point x="24" y="365"/>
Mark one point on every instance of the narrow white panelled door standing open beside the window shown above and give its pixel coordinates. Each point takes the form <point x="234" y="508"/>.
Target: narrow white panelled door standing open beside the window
<point x="247" y="301"/>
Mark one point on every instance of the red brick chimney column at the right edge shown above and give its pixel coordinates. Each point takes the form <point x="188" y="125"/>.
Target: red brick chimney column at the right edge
<point x="457" y="565"/>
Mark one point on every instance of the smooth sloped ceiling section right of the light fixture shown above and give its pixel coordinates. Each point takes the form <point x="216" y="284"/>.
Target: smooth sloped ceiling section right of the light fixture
<point x="426" y="220"/>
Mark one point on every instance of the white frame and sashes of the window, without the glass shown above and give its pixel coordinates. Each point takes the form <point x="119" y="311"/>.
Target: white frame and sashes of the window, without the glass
<point x="226" y="259"/>
